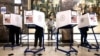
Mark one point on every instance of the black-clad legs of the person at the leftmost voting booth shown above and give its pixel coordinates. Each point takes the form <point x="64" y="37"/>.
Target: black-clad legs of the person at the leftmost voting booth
<point x="14" y="35"/>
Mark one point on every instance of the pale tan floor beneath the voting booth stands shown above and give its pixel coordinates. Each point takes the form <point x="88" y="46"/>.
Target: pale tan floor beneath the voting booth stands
<point x="49" y="51"/>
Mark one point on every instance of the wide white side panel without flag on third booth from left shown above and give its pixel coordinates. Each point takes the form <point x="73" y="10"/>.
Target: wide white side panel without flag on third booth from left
<point x="63" y="18"/>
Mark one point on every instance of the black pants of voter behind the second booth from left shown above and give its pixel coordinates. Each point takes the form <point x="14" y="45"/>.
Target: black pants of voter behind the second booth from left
<point x="38" y="36"/>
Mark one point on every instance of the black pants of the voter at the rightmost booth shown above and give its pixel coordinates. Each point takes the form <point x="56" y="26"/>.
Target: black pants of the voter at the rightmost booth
<point x="83" y="32"/>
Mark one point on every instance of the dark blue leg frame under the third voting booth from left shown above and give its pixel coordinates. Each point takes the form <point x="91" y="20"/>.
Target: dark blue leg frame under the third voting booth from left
<point x="71" y="48"/>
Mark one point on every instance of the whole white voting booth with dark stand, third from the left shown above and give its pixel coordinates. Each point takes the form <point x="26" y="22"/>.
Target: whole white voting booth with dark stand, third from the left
<point x="66" y="20"/>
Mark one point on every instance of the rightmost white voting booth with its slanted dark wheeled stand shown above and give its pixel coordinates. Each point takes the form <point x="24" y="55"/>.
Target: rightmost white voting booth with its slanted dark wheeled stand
<point x="89" y="20"/>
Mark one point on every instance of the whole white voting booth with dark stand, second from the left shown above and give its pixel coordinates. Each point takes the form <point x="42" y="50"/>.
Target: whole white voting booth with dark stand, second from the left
<point x="32" y="19"/>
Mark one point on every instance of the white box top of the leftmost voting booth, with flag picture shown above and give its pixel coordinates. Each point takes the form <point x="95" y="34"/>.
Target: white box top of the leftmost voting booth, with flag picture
<point x="12" y="19"/>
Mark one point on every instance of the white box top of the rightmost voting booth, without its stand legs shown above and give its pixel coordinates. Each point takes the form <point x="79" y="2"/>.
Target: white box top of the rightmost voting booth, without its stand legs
<point x="88" y="20"/>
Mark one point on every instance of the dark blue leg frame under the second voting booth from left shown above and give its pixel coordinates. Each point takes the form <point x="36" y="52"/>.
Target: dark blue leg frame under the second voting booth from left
<point x="33" y="51"/>
